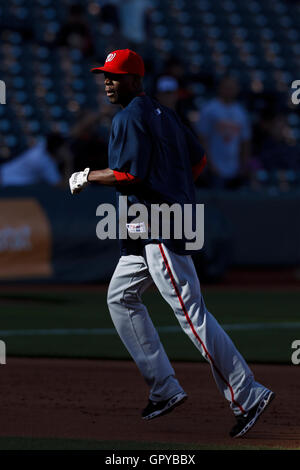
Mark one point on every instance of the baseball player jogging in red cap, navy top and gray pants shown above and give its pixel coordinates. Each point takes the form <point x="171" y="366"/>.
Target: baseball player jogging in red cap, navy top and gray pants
<point x="154" y="158"/>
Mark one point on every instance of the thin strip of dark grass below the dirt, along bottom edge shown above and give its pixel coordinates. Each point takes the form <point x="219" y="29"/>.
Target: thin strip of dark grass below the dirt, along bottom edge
<point x="27" y="443"/>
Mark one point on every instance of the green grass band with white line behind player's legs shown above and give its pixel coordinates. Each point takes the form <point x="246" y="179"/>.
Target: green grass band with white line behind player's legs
<point x="87" y="309"/>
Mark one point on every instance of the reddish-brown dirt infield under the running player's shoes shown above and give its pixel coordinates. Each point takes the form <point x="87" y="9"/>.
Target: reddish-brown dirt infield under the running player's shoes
<point x="102" y="400"/>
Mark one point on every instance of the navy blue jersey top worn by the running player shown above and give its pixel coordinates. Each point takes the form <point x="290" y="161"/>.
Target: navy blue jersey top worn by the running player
<point x="150" y="142"/>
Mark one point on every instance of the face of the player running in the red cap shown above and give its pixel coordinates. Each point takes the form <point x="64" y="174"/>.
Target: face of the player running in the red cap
<point x="119" y="88"/>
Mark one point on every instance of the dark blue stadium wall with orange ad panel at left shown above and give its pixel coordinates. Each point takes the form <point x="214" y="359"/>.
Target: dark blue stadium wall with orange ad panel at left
<point x="48" y="235"/>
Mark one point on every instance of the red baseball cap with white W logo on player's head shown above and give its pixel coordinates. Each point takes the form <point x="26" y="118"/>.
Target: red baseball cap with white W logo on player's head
<point x="122" y="61"/>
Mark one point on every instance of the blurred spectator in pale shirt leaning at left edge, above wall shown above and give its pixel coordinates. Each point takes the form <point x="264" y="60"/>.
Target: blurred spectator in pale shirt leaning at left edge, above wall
<point x="39" y="164"/>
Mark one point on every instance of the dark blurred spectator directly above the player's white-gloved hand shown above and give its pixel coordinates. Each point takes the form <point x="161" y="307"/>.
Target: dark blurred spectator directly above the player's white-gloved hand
<point x="88" y="147"/>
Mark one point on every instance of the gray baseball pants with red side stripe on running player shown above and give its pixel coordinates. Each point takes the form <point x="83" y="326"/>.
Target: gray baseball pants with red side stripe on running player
<point x="177" y="281"/>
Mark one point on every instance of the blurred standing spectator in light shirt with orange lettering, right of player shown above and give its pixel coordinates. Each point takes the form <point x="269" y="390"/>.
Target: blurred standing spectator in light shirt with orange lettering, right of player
<point x="225" y="132"/>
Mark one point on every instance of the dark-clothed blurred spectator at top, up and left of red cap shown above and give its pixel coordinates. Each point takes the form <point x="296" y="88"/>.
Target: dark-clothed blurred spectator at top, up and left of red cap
<point x="75" y="31"/>
